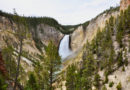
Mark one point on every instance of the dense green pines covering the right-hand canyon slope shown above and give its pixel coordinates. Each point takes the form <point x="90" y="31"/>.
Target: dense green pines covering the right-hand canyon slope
<point x="102" y="47"/>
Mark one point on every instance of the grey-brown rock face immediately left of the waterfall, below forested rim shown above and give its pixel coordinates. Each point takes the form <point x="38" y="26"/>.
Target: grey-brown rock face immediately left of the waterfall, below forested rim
<point x="46" y="33"/>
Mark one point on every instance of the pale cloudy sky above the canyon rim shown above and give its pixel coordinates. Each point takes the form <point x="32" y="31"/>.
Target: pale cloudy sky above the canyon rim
<point x="66" y="12"/>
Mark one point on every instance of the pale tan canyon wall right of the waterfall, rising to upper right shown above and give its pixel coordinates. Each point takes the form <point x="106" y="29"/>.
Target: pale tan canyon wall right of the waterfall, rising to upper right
<point x="80" y="36"/>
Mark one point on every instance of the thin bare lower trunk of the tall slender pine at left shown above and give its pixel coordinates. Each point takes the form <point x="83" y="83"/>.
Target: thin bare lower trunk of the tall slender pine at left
<point x="18" y="65"/>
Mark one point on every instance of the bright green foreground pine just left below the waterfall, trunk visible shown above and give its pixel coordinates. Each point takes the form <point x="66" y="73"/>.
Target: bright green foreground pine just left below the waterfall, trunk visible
<point x="52" y="63"/>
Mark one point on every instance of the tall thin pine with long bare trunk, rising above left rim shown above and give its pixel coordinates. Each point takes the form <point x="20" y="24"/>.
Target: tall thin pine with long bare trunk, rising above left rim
<point x="21" y="34"/>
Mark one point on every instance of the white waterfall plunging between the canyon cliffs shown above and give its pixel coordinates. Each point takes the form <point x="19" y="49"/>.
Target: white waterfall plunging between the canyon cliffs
<point x="64" y="50"/>
